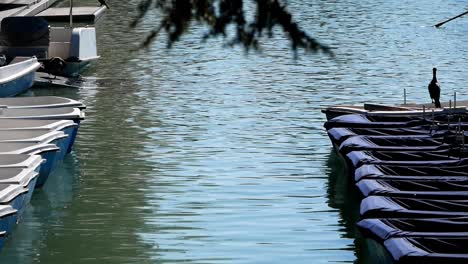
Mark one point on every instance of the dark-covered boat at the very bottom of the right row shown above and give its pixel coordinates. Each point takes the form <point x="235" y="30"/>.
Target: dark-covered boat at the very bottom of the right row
<point x="447" y="250"/>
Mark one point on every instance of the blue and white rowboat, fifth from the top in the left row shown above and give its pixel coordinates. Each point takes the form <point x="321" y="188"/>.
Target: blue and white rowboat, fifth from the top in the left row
<point x="48" y="152"/>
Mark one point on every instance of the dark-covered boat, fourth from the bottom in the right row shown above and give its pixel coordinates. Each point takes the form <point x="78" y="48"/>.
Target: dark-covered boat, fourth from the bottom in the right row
<point x="432" y="189"/>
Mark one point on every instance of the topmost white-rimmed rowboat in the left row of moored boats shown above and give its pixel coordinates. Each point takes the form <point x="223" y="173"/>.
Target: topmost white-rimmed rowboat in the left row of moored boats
<point x="39" y="102"/>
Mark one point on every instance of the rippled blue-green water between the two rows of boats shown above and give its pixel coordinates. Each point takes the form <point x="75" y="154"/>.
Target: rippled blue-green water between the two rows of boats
<point x="204" y="155"/>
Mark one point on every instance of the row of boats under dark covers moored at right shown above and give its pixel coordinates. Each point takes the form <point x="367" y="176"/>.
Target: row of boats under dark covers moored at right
<point x="412" y="170"/>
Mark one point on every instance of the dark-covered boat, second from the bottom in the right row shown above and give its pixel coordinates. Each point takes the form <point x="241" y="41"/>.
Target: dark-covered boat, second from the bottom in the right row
<point x="383" y="229"/>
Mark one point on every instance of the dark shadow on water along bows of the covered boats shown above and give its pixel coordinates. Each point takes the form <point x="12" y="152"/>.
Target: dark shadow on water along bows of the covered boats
<point x="343" y="196"/>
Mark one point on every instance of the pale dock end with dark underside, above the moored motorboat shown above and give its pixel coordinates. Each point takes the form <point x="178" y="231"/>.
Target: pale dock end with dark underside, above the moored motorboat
<point x="80" y="14"/>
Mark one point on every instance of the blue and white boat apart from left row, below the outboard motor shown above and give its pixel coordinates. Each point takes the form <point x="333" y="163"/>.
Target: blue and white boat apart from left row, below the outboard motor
<point x="17" y="76"/>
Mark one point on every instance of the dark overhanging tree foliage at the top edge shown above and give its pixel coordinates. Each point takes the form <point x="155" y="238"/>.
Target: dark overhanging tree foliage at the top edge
<point x="219" y="15"/>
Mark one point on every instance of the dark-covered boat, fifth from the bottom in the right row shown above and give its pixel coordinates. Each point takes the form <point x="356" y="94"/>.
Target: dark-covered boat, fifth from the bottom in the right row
<point x="438" y="171"/>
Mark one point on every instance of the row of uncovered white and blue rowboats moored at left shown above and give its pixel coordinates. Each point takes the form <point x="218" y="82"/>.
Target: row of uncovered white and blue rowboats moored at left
<point x="35" y="135"/>
